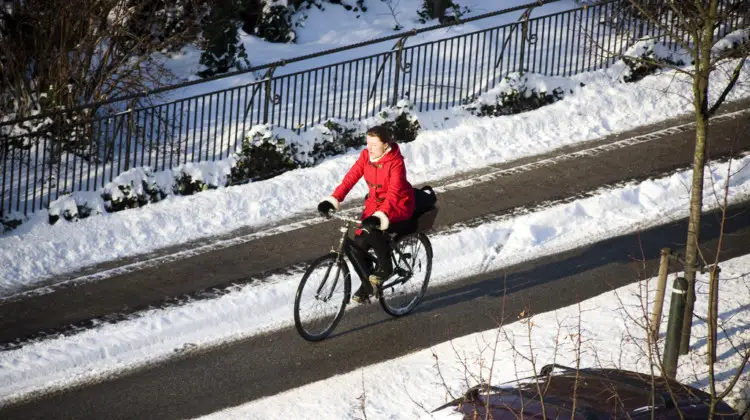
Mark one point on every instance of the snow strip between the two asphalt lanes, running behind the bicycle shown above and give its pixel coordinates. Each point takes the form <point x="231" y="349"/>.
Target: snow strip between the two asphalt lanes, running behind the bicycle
<point x="156" y="335"/>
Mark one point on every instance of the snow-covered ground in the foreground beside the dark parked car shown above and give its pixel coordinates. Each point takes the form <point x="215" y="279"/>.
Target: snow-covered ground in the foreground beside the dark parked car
<point x="408" y="387"/>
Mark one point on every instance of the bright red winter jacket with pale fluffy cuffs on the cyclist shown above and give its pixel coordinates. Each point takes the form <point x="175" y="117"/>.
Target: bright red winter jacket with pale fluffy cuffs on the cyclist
<point x="391" y="196"/>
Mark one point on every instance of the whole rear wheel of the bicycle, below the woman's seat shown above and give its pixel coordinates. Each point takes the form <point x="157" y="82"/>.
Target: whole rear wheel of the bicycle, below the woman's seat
<point x="401" y="294"/>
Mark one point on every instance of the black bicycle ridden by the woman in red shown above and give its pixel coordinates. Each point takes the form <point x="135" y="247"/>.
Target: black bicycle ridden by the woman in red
<point x="398" y="295"/>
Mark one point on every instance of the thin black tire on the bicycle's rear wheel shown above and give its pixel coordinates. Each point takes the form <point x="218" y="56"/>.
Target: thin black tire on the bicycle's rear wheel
<point x="388" y="297"/>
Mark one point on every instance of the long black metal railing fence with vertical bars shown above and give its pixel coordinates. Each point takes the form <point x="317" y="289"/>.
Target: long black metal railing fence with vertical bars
<point x="37" y="168"/>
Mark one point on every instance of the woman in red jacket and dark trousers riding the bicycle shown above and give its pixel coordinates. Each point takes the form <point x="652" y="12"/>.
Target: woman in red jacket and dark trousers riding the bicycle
<point x="389" y="204"/>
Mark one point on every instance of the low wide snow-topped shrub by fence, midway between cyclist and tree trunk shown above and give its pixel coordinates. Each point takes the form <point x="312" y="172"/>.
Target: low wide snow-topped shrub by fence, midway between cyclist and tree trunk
<point x="520" y="93"/>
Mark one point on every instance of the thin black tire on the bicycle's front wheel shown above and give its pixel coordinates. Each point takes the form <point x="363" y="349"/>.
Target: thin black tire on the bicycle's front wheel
<point x="338" y="311"/>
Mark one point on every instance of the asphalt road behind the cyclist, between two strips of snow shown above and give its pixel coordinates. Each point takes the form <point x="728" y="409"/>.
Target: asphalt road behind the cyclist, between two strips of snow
<point x="491" y="191"/>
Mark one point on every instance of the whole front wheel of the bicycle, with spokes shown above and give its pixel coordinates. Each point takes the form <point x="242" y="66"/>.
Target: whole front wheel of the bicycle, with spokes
<point x="321" y="297"/>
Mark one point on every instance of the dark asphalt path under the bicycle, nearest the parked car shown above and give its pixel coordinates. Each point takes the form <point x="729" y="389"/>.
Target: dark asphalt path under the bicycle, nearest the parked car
<point x="228" y="375"/>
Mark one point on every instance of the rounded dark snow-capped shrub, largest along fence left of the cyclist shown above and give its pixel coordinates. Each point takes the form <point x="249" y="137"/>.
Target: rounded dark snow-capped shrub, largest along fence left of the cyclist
<point x="263" y="155"/>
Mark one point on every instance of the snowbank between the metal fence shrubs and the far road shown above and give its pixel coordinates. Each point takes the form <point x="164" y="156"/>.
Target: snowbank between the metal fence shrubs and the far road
<point x="37" y="251"/>
